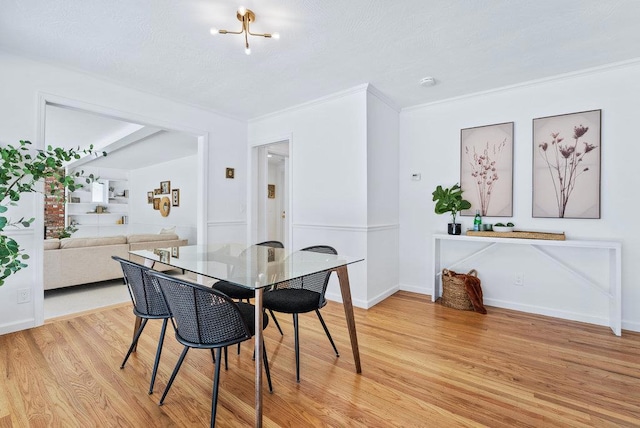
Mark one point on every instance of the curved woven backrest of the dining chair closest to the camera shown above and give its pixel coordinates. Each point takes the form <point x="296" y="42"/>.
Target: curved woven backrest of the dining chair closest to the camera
<point x="201" y="315"/>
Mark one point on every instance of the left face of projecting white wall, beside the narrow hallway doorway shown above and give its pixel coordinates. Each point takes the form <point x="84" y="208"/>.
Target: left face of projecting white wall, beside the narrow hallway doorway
<point x="328" y="159"/>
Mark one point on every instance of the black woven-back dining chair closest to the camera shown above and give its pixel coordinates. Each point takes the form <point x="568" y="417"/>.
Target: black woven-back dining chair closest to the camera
<point x="205" y="318"/>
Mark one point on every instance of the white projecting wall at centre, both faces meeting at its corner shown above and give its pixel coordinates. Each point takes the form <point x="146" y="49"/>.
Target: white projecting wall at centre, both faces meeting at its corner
<point x="344" y="161"/>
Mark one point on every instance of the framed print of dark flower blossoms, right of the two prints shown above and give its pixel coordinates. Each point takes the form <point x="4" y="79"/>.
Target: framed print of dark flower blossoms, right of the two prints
<point x="566" y="165"/>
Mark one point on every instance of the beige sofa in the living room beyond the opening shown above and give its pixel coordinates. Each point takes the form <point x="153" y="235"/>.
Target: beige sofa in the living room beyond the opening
<point x="74" y="261"/>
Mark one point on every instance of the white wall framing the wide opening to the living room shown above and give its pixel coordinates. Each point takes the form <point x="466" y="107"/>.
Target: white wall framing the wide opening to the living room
<point x="26" y="82"/>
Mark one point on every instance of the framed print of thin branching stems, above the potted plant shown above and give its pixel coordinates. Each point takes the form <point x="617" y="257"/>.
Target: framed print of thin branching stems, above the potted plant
<point x="486" y="169"/>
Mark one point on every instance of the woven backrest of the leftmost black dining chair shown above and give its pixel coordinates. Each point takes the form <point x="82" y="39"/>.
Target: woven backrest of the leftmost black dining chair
<point x="145" y="295"/>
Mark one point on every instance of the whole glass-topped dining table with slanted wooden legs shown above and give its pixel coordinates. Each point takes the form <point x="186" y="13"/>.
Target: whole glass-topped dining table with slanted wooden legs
<point x="258" y="268"/>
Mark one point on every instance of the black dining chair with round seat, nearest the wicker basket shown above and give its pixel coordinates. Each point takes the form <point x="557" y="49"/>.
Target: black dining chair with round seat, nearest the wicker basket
<point x="302" y="295"/>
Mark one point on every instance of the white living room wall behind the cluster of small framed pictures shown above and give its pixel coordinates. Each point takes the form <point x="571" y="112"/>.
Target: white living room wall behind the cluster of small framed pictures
<point x="182" y="174"/>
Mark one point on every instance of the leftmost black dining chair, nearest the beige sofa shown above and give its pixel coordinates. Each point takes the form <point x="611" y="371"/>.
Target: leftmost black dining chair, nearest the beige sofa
<point x="148" y="303"/>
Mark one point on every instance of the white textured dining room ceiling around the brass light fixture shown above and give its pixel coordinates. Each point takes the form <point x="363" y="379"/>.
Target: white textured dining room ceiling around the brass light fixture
<point x="326" y="46"/>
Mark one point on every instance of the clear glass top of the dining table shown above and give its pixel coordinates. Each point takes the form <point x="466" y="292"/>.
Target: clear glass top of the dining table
<point x="252" y="267"/>
